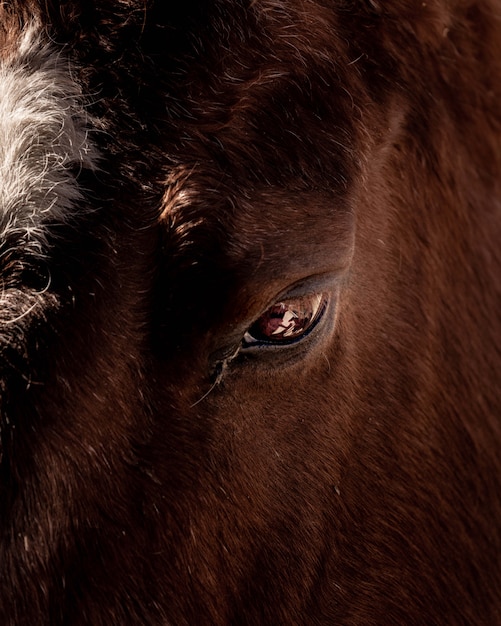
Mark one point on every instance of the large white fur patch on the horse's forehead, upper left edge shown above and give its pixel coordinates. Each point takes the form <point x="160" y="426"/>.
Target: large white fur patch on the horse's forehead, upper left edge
<point x="43" y="141"/>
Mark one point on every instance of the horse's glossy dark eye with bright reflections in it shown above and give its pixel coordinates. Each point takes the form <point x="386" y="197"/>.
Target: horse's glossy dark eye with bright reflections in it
<point x="287" y="322"/>
